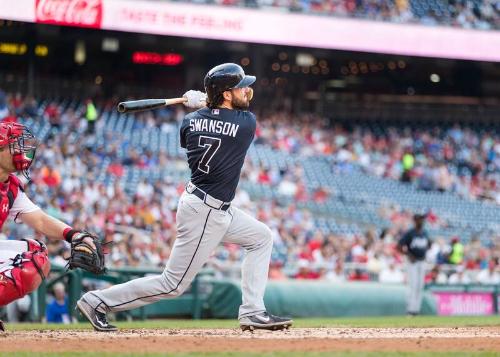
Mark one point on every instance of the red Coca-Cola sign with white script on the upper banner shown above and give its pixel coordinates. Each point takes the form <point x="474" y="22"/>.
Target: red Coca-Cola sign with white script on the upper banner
<point x="83" y="13"/>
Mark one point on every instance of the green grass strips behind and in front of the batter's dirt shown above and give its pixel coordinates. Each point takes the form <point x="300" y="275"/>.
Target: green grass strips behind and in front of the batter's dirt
<point x="374" y="322"/>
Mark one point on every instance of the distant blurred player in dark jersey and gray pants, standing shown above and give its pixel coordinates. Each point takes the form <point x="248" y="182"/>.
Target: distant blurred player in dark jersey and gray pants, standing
<point x="414" y="244"/>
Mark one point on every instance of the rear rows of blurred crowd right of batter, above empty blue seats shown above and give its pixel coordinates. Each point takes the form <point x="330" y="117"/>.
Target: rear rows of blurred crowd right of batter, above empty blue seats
<point x="456" y="159"/>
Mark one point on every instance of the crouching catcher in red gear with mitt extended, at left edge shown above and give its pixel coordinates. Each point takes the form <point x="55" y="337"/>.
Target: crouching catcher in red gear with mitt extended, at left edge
<point x="24" y="263"/>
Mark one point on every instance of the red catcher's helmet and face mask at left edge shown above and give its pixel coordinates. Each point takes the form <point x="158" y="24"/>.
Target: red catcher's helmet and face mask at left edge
<point x="22" y="145"/>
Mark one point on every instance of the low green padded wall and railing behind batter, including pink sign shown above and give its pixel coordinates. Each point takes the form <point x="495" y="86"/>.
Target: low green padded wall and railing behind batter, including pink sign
<point x="220" y="298"/>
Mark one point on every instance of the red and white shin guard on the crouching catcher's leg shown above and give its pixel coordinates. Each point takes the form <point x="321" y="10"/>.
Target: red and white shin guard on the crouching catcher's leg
<point x="22" y="275"/>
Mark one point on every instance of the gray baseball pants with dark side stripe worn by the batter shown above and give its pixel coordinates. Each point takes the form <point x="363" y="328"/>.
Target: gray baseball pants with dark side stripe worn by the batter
<point x="199" y="230"/>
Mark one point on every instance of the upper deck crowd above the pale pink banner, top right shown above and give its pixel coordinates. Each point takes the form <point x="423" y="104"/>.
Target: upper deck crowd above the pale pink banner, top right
<point x="480" y="14"/>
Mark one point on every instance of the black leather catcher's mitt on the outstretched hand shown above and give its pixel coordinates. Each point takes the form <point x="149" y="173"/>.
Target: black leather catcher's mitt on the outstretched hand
<point x="85" y="256"/>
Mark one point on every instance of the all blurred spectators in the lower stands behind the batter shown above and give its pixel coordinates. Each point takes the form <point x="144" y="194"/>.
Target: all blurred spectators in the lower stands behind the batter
<point x="142" y="223"/>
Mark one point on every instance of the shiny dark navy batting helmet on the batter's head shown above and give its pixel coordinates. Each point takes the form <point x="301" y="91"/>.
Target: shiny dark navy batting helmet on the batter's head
<point x="222" y="78"/>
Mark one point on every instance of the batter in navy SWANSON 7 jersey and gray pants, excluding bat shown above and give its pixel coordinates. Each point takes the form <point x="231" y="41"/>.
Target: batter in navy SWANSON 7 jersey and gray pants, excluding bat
<point x="217" y="138"/>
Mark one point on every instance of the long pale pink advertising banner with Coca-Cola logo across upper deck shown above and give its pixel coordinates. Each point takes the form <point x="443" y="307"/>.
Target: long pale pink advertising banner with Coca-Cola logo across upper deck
<point x="259" y="26"/>
